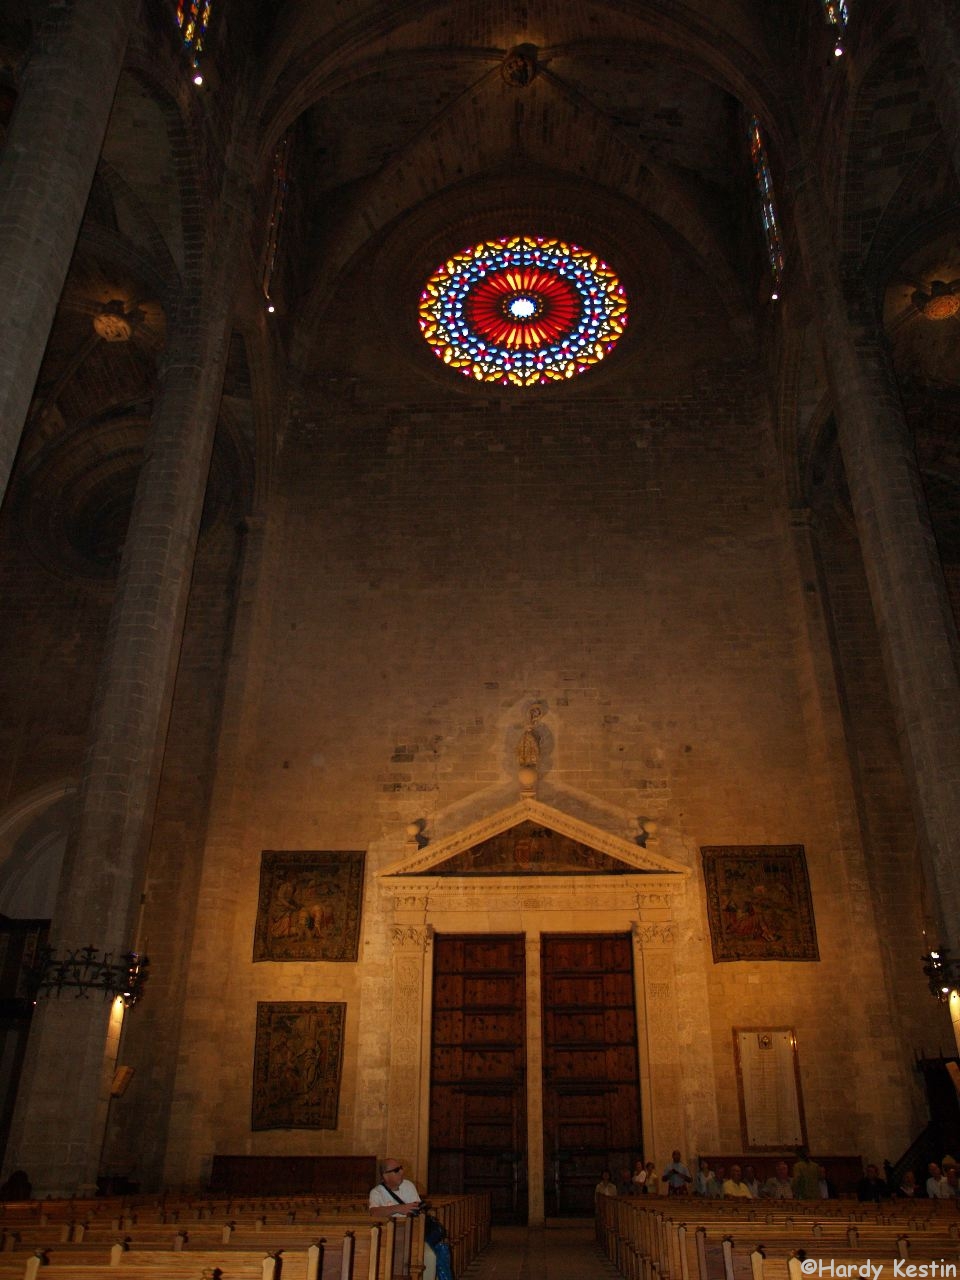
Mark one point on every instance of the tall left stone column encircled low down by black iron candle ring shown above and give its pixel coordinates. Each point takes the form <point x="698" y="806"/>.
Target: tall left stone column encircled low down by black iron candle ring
<point x="58" y="1132"/>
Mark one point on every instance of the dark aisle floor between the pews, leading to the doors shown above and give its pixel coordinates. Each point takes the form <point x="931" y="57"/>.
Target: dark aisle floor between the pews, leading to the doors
<point x="564" y="1252"/>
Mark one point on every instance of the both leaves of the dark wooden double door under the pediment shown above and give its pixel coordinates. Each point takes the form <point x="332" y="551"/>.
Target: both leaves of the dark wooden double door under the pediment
<point x="589" y="1096"/>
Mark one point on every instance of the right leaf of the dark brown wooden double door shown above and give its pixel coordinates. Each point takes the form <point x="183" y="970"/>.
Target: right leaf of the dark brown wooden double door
<point x="592" y="1096"/>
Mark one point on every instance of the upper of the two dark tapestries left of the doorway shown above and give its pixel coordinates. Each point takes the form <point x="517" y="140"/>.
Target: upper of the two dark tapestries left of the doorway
<point x="309" y="906"/>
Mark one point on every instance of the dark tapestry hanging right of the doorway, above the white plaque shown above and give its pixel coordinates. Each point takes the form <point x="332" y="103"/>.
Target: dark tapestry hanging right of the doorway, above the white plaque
<point x="758" y="903"/>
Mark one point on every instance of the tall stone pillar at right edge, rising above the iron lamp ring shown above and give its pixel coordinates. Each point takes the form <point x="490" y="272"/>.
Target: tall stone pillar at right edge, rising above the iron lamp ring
<point x="909" y="597"/>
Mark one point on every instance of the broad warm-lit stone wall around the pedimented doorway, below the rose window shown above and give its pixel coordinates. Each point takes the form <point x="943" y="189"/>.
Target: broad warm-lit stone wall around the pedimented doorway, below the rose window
<point x="428" y="572"/>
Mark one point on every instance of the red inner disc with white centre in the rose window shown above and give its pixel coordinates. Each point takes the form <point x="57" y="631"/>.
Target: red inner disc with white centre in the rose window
<point x="495" y="309"/>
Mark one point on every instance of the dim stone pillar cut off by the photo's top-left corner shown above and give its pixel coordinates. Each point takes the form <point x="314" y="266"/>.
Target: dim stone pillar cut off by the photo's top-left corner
<point x="47" y="170"/>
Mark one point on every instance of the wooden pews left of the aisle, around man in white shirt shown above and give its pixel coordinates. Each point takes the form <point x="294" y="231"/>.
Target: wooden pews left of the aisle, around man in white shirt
<point x="298" y="1238"/>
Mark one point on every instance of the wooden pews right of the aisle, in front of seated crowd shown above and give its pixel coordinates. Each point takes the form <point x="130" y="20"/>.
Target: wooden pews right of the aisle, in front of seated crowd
<point x="696" y="1240"/>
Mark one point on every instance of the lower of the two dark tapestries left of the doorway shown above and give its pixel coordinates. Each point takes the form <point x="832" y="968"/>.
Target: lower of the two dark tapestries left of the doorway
<point x="298" y="1064"/>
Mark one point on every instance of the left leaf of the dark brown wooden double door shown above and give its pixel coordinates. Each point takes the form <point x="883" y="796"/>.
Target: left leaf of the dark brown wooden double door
<point x="478" y="1103"/>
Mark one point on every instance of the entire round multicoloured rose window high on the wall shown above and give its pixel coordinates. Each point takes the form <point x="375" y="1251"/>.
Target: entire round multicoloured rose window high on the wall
<point x="523" y="310"/>
